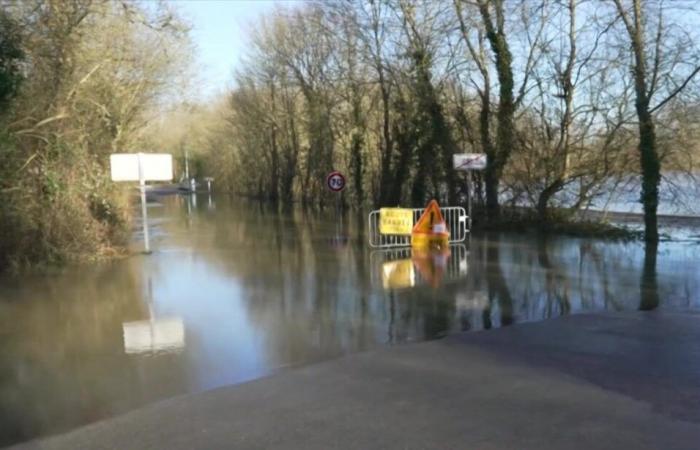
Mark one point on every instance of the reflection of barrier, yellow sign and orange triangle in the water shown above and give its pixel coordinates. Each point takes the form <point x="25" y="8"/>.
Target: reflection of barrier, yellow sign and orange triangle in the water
<point x="404" y="268"/>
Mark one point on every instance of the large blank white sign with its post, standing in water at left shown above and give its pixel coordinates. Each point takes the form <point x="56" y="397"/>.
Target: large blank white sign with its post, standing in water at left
<point x="142" y="167"/>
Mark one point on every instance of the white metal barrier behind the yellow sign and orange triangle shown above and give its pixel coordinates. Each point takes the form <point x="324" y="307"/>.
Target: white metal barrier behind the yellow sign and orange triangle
<point x="455" y="217"/>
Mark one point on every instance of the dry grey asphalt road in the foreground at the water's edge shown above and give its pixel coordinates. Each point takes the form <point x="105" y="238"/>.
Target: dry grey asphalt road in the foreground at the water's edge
<point x="613" y="381"/>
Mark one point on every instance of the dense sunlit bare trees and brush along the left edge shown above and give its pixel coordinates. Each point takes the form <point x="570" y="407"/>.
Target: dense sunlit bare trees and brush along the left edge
<point x="95" y="71"/>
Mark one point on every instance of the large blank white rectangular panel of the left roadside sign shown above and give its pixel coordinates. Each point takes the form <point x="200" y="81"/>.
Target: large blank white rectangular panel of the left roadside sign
<point x="155" y="166"/>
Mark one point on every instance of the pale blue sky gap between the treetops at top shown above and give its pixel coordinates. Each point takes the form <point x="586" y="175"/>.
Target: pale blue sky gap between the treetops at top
<point x="220" y="29"/>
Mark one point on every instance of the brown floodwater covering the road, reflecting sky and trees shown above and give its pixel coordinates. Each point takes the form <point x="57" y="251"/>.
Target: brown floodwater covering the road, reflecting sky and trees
<point x="234" y="291"/>
